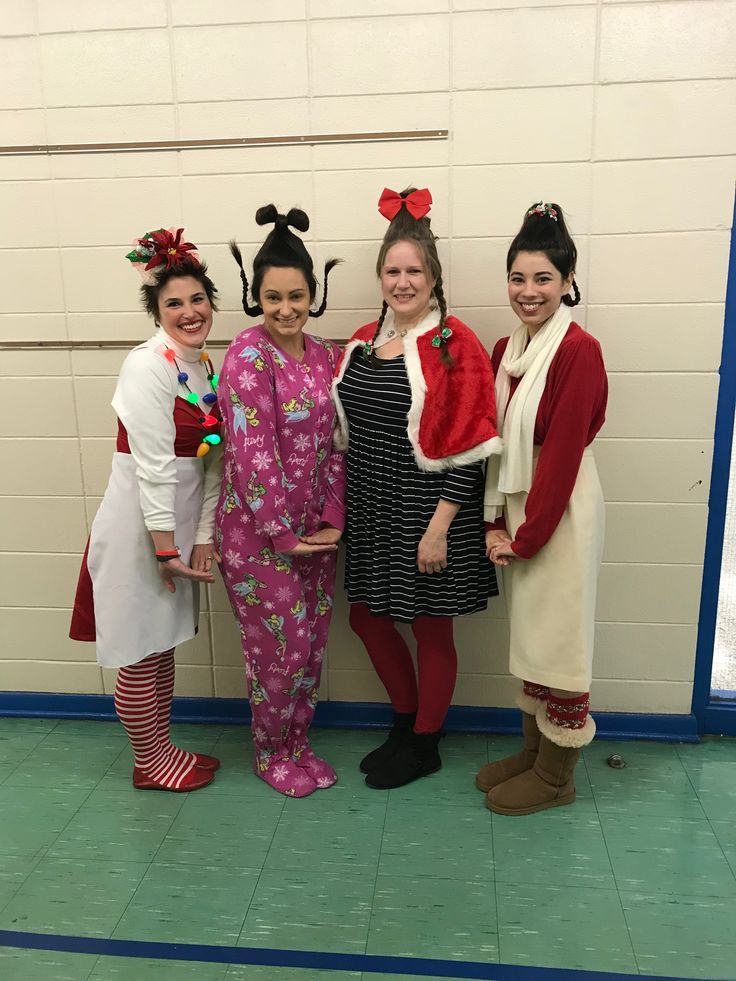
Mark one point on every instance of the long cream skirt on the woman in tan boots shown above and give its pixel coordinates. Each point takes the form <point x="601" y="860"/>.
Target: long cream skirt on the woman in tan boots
<point x="551" y="597"/>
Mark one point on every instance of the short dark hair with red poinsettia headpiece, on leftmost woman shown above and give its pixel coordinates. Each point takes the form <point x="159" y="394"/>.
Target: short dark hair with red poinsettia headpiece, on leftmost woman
<point x="160" y="256"/>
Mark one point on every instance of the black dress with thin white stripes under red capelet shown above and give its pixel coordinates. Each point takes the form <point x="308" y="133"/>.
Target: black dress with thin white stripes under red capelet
<point x="390" y="502"/>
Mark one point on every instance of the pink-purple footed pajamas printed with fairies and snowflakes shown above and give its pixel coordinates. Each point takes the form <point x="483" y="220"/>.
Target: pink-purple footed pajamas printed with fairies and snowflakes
<point x="282" y="480"/>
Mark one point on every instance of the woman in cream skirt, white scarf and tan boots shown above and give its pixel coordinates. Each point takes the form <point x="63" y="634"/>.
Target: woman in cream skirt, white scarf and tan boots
<point x="544" y="514"/>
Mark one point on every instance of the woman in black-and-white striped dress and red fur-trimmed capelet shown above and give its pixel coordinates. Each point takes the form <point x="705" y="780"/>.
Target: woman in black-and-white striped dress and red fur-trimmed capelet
<point x="414" y="396"/>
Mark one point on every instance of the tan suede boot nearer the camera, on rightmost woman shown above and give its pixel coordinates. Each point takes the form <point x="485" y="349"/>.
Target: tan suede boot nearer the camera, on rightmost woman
<point x="548" y="784"/>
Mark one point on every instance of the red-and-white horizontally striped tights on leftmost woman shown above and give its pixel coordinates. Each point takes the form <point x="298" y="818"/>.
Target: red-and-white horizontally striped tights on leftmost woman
<point x="143" y="696"/>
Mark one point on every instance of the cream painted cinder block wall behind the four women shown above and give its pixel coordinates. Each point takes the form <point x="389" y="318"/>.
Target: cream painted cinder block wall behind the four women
<point x="623" y="112"/>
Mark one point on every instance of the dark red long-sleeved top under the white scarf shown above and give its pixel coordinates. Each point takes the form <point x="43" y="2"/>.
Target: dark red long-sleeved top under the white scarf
<point x="571" y="411"/>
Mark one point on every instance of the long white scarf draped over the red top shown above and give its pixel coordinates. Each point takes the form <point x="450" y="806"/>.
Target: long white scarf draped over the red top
<point x="512" y="471"/>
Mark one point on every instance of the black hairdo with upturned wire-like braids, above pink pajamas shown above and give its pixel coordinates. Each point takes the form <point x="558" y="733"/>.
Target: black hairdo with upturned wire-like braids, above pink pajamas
<point x="285" y="250"/>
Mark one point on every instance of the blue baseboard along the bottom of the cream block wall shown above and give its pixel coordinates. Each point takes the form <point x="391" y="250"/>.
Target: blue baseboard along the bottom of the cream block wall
<point x="345" y="715"/>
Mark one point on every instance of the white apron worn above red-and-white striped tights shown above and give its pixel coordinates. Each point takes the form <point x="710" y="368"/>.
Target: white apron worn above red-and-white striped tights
<point x="135" y="615"/>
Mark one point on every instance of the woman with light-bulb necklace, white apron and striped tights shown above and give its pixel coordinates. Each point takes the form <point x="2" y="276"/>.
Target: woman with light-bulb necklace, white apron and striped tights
<point x="151" y="542"/>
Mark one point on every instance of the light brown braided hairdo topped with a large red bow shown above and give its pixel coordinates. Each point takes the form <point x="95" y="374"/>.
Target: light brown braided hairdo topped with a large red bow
<point x="407" y="213"/>
